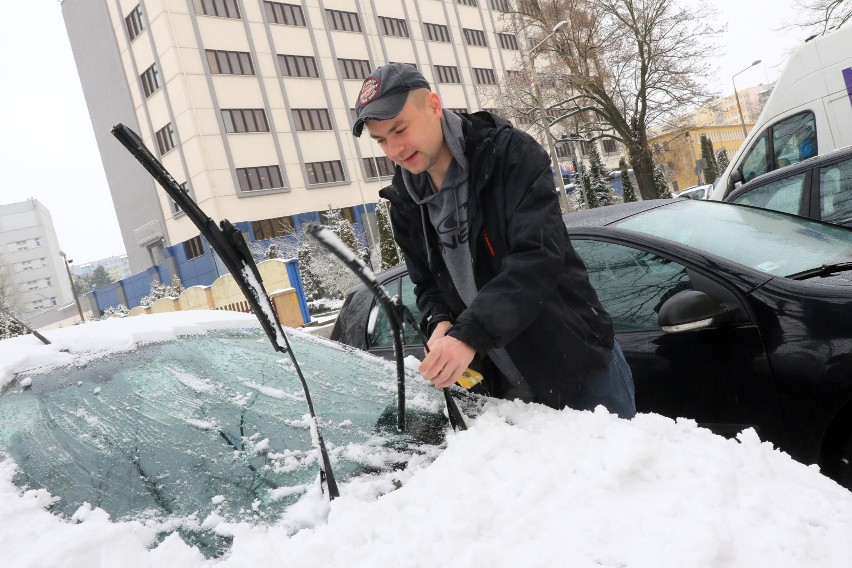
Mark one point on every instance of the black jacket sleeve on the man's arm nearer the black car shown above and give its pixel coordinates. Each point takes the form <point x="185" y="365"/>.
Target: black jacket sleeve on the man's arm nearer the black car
<point x="530" y="272"/>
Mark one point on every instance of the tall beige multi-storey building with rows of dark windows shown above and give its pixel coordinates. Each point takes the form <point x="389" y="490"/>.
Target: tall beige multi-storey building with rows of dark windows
<point x="250" y="103"/>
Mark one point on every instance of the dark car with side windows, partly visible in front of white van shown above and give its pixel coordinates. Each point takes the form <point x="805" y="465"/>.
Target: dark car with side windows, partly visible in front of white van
<point x="818" y="188"/>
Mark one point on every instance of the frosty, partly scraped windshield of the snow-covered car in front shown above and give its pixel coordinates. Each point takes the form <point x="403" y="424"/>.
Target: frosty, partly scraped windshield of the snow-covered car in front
<point x="210" y="424"/>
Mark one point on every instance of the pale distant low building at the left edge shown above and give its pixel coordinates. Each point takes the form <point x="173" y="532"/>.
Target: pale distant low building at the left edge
<point x="32" y="270"/>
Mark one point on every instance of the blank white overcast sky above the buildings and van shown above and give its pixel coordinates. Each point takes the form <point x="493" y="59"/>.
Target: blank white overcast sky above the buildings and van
<point x="49" y="151"/>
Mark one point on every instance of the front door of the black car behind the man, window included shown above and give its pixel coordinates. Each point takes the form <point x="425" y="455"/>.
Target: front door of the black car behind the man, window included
<point x="720" y="376"/>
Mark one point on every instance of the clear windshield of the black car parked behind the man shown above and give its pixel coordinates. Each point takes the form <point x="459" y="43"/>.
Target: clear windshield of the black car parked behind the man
<point x="771" y="242"/>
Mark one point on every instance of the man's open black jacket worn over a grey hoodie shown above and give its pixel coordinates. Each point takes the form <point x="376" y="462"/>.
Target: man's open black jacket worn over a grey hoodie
<point x="534" y="296"/>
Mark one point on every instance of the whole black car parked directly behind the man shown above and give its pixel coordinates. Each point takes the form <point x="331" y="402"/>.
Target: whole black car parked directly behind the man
<point x="733" y="316"/>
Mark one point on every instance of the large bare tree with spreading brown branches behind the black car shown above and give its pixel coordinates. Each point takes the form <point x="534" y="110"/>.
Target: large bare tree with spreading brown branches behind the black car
<point x="620" y="67"/>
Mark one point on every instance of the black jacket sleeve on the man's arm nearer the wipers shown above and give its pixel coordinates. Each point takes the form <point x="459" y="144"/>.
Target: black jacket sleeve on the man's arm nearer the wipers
<point x="408" y="234"/>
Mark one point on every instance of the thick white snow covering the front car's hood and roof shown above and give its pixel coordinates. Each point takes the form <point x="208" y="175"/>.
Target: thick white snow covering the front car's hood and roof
<point x="524" y="486"/>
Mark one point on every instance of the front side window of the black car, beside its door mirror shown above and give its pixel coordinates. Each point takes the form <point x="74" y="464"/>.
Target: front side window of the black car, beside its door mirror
<point x="631" y="284"/>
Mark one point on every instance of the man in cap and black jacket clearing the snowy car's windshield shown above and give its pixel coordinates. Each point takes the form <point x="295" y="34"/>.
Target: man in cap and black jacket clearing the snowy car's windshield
<point x="475" y="212"/>
